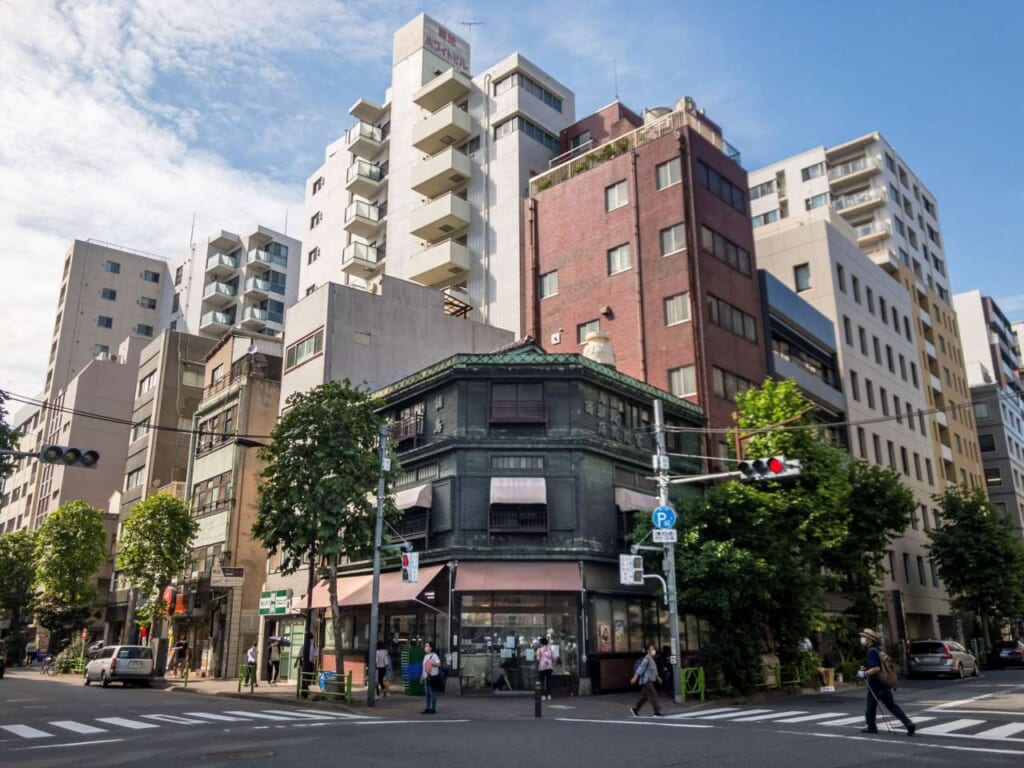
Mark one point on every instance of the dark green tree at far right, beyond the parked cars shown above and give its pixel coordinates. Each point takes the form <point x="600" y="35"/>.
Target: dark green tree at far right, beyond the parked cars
<point x="978" y="558"/>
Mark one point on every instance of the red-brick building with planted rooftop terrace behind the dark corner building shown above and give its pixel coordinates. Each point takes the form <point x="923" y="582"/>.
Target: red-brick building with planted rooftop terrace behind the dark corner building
<point x="644" y="232"/>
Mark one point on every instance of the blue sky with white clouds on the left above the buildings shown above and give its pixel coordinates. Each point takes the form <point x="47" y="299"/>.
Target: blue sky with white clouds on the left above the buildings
<point x="123" y="120"/>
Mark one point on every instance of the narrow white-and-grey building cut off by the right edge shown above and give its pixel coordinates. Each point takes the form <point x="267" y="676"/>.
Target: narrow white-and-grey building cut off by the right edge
<point x="992" y="351"/>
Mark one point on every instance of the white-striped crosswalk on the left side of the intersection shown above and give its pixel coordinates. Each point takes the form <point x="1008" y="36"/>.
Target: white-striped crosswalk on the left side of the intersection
<point x="146" y="722"/>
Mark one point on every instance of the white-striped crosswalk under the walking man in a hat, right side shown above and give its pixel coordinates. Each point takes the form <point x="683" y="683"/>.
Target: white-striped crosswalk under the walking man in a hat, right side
<point x="935" y="724"/>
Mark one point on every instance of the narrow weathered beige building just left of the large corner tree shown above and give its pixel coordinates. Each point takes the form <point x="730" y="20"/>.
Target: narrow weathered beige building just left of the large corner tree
<point x="241" y="398"/>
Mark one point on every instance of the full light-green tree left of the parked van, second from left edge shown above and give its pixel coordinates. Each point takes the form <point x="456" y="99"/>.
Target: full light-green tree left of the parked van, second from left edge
<point x="71" y="545"/>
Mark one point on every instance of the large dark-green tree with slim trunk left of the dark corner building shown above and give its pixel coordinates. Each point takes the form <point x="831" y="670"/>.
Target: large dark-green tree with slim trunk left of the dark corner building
<point x="322" y="467"/>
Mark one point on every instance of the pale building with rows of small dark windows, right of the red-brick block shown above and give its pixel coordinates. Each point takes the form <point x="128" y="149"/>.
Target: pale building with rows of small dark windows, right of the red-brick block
<point x="887" y="392"/>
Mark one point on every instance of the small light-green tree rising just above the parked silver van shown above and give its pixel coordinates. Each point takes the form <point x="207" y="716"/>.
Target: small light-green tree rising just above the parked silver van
<point x="156" y="542"/>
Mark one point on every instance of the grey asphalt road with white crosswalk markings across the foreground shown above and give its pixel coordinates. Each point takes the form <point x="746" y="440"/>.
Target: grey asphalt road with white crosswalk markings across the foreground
<point x="49" y="722"/>
